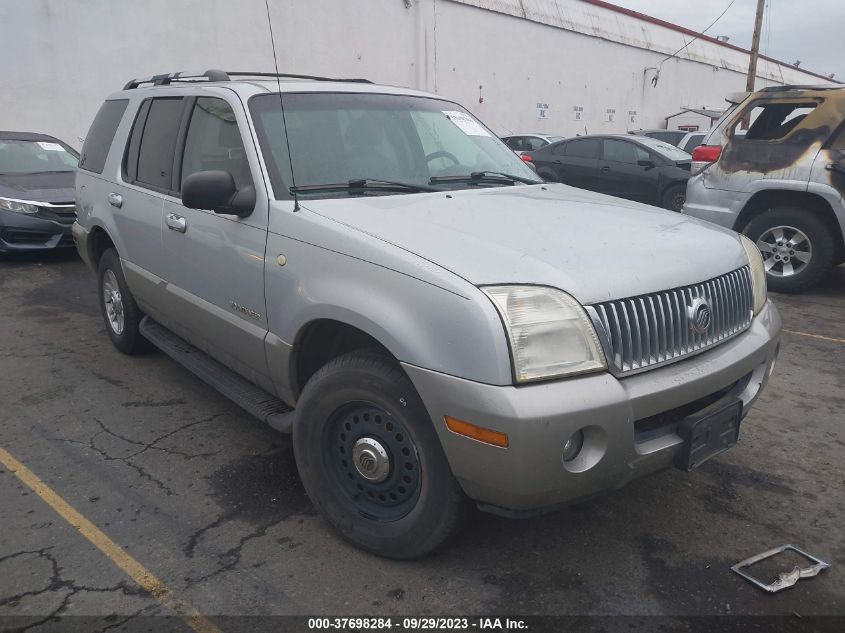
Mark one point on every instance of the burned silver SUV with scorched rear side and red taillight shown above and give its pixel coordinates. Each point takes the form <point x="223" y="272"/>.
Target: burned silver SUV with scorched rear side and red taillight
<point x="781" y="182"/>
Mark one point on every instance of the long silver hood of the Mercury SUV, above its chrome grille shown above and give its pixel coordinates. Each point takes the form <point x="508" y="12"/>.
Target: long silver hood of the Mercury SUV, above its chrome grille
<point x="593" y="246"/>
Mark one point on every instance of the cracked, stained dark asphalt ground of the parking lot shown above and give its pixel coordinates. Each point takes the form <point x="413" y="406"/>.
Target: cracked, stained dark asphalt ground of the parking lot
<point x="208" y="500"/>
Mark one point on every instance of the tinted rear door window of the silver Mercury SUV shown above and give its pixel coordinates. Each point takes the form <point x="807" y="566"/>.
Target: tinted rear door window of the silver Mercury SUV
<point x="158" y="143"/>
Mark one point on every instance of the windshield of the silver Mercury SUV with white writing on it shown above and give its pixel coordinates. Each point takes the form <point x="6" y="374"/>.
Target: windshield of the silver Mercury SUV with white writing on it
<point x="335" y="138"/>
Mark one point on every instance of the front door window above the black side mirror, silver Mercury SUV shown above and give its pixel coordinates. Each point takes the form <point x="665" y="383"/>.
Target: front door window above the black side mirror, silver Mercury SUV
<point x="214" y="142"/>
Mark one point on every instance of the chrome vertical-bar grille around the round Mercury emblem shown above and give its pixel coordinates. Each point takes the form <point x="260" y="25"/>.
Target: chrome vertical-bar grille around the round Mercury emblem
<point x="649" y="330"/>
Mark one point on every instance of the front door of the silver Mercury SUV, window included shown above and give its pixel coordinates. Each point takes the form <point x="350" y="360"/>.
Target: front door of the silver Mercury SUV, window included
<point x="215" y="263"/>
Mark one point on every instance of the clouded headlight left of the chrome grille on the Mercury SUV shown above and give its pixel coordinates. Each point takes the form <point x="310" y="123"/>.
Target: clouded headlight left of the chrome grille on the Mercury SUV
<point x="549" y="332"/>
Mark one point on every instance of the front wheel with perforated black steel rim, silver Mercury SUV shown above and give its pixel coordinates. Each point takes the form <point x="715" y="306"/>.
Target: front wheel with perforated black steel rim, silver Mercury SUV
<point x="370" y="459"/>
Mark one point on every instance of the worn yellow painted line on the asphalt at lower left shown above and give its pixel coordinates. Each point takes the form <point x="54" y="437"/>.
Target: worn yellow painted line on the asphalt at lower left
<point x="115" y="552"/>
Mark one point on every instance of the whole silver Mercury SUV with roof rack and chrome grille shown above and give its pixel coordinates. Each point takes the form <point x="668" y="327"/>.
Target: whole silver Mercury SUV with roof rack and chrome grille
<point x="370" y="268"/>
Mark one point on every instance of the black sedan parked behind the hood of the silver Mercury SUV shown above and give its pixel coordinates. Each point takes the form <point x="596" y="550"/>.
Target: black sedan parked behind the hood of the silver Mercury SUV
<point x="633" y="167"/>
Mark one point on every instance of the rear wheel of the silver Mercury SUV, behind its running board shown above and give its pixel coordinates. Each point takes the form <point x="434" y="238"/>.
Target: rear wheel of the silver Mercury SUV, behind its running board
<point x="121" y="314"/>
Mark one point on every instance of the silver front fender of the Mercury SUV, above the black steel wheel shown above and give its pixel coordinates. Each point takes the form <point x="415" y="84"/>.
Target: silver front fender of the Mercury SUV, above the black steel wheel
<point x="454" y="331"/>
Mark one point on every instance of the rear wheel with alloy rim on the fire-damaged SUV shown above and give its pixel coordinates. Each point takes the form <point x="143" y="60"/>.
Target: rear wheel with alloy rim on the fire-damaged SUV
<point x="798" y="249"/>
